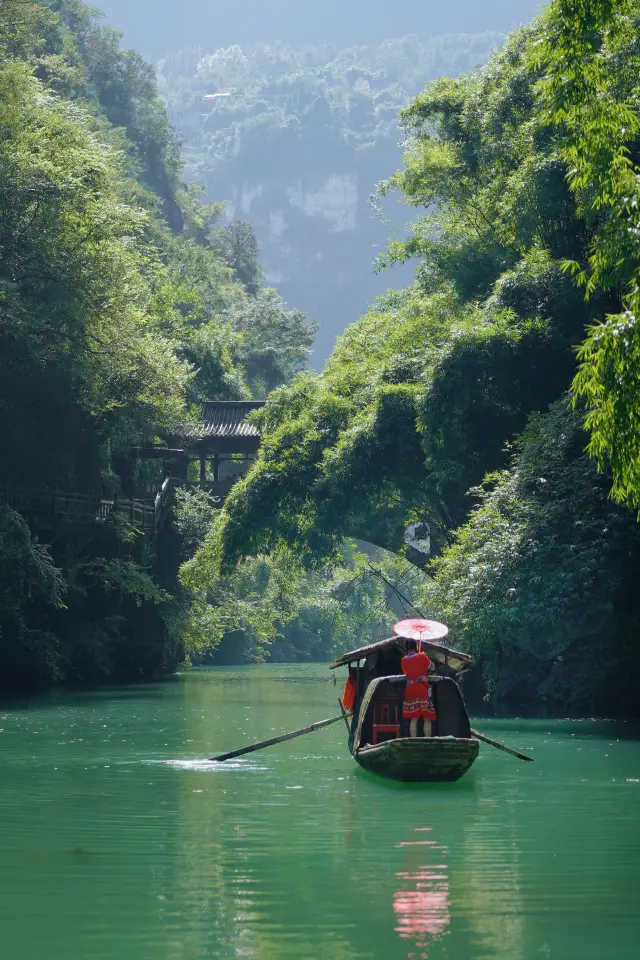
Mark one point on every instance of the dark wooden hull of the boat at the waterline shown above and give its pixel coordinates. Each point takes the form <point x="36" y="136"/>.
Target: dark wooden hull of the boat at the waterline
<point x="420" y="759"/>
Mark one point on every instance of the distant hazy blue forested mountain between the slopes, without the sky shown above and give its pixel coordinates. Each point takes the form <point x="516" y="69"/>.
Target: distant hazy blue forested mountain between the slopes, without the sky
<point x="296" y="140"/>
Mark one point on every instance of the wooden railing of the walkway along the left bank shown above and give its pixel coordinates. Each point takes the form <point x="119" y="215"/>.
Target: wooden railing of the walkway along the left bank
<point x="144" y="515"/>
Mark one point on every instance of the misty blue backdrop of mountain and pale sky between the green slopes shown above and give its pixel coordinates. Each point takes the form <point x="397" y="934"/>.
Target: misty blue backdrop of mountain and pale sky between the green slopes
<point x="304" y="124"/>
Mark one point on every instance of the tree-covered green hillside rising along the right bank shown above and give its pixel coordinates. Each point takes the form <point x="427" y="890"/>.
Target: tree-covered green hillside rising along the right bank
<point x="460" y="402"/>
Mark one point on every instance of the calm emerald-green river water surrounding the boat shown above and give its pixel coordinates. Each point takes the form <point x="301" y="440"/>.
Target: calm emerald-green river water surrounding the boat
<point x="116" y="843"/>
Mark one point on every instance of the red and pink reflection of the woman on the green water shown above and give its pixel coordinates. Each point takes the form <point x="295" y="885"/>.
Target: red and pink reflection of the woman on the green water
<point x="422" y="905"/>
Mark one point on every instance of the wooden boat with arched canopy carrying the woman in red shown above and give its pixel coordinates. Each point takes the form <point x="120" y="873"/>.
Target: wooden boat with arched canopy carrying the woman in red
<point x="378" y="736"/>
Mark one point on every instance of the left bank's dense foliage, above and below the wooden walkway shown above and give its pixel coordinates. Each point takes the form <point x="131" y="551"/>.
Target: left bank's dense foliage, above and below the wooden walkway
<point x="123" y="304"/>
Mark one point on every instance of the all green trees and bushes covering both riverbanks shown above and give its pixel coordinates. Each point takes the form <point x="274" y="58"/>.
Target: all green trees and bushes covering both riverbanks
<point x="491" y="402"/>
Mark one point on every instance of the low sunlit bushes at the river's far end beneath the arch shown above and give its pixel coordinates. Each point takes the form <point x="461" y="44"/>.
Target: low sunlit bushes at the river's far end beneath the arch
<point x="270" y="607"/>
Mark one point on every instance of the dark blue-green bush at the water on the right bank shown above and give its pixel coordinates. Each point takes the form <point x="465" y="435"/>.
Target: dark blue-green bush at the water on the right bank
<point x="539" y="583"/>
